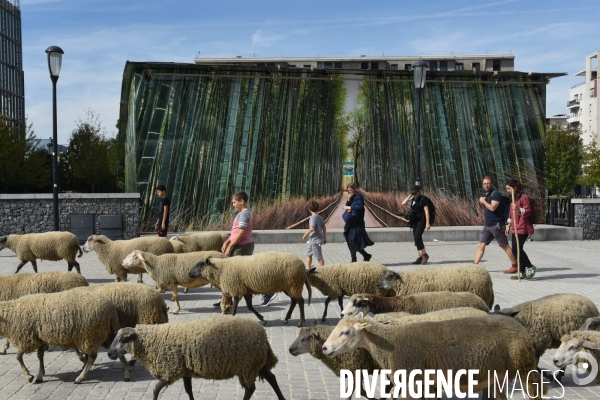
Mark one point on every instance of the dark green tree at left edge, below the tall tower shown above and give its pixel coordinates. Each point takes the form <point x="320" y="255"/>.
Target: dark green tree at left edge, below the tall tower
<point x="24" y="167"/>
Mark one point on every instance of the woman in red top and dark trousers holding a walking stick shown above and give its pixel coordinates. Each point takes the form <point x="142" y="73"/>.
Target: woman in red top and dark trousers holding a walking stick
<point x="522" y="211"/>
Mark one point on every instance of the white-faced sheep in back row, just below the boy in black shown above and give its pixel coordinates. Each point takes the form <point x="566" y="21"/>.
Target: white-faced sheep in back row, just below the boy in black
<point x="112" y="252"/>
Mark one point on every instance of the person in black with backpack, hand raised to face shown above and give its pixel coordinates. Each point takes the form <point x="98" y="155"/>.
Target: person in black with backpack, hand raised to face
<point x="419" y="219"/>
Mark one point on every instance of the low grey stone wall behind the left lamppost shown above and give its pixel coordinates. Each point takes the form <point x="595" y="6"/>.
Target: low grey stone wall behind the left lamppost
<point x="31" y="213"/>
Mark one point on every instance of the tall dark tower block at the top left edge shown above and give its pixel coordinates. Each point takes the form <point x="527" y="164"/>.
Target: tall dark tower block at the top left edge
<point x="12" y="87"/>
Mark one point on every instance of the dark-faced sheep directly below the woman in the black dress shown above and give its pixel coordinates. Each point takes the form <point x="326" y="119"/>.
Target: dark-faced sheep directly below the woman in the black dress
<point x="338" y="280"/>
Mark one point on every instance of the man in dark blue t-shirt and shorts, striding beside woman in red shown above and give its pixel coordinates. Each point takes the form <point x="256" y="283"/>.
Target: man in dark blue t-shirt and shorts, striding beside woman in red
<point x="495" y="223"/>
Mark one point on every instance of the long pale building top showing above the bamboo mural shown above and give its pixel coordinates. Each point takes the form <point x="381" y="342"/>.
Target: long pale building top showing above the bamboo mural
<point x="447" y="62"/>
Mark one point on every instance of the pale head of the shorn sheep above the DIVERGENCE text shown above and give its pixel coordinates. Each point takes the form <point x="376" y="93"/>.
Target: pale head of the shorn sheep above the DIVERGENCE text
<point x="346" y="336"/>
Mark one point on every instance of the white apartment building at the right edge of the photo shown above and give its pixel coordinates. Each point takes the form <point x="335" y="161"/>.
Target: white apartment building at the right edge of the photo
<point x="583" y="103"/>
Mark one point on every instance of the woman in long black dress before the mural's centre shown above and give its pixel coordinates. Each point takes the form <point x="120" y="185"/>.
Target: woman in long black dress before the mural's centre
<point x="354" y="230"/>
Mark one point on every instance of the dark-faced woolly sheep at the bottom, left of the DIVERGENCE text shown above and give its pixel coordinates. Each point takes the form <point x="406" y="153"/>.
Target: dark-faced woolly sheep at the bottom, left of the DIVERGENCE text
<point x="211" y="348"/>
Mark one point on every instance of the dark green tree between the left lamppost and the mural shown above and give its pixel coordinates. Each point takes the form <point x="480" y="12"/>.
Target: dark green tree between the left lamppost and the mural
<point x="86" y="165"/>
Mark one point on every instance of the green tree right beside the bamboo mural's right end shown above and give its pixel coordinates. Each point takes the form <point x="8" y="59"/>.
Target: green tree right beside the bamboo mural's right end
<point x="564" y="155"/>
